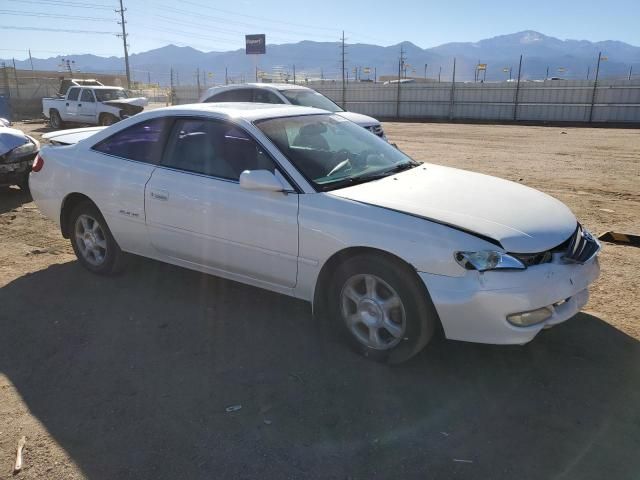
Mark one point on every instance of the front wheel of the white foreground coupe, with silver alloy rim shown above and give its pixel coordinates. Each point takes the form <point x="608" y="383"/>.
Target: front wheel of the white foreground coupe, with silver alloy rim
<point x="381" y="308"/>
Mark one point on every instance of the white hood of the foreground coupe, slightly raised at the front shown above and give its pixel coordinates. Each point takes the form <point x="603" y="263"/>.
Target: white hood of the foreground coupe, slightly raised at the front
<point x="522" y="219"/>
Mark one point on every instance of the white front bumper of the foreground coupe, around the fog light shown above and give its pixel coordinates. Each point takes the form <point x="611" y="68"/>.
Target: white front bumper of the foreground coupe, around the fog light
<point x="474" y="307"/>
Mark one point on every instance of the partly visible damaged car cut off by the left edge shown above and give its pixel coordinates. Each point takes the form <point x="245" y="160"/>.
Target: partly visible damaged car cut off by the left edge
<point x="17" y="151"/>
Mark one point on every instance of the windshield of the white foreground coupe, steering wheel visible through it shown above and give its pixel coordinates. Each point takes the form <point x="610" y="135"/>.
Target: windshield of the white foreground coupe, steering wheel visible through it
<point x="332" y="152"/>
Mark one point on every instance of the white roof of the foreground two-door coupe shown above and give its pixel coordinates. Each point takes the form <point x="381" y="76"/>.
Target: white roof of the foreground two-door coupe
<point x="241" y="110"/>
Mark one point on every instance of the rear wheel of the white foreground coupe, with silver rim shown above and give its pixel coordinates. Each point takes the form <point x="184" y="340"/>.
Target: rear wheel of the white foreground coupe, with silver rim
<point x="93" y="242"/>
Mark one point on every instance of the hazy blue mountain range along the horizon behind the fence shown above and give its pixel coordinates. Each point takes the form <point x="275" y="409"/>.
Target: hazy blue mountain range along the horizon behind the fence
<point x="571" y="59"/>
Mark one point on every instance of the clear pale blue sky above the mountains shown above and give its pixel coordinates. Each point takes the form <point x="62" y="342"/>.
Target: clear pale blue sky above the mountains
<point x="216" y="25"/>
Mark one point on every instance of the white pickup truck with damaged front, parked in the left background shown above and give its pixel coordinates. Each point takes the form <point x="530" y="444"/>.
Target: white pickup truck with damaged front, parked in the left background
<point x="95" y="105"/>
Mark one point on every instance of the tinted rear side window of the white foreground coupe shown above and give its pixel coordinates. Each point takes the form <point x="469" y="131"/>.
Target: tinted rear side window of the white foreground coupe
<point x="142" y="142"/>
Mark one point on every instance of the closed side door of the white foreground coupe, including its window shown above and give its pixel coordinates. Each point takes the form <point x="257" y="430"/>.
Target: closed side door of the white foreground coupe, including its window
<point x="197" y="212"/>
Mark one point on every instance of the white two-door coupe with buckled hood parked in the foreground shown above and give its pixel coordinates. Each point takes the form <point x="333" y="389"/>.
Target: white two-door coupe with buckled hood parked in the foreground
<point x="305" y="203"/>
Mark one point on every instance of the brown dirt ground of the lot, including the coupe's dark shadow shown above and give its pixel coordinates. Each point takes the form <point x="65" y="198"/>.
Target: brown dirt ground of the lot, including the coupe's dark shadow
<point x="130" y="377"/>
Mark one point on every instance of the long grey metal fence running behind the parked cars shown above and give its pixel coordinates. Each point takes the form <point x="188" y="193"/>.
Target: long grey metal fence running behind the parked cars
<point x="543" y="101"/>
